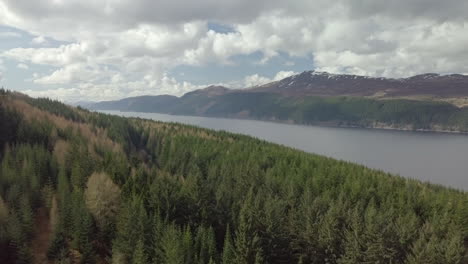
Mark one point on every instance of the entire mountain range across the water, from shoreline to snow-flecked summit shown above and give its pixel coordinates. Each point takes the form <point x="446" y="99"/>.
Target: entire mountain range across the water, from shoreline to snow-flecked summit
<point x="423" y="102"/>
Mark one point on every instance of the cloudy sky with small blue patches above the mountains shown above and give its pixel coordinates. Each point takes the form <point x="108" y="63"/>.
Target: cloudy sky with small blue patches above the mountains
<point x="92" y="50"/>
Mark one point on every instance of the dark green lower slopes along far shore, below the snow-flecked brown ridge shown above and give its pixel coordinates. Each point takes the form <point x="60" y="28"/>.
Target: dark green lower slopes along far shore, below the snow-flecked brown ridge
<point x="311" y="110"/>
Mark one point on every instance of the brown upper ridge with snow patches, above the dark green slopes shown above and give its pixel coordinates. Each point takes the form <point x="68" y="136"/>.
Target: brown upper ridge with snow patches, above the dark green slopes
<point x="312" y="83"/>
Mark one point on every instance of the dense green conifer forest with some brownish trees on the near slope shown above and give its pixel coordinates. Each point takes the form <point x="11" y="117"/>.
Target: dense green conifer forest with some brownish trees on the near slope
<point x="96" y="188"/>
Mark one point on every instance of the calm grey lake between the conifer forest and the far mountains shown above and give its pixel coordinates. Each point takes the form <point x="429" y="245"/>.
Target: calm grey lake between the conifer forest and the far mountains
<point x="436" y="157"/>
